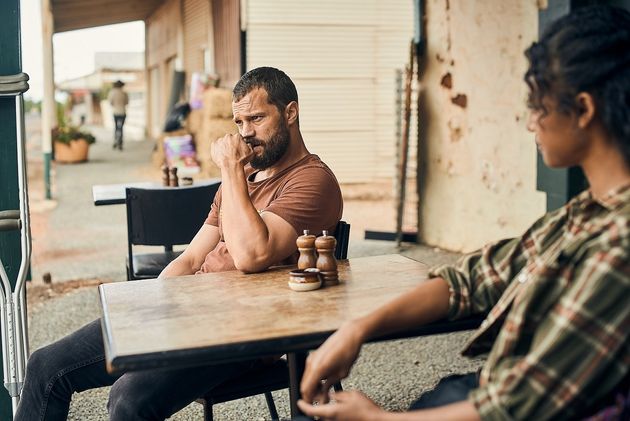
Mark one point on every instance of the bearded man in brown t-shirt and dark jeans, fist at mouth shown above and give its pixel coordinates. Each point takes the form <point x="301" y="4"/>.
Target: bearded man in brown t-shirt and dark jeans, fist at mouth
<point x="272" y="189"/>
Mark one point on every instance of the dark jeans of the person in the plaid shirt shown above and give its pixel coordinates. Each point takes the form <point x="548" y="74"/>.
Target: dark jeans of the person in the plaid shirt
<point x="450" y="389"/>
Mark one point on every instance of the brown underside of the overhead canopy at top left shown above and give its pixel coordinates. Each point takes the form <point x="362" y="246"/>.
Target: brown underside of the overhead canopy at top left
<point x="69" y="15"/>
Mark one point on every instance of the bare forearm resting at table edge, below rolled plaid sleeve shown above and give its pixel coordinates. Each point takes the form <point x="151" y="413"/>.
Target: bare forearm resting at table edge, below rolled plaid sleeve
<point x="426" y="303"/>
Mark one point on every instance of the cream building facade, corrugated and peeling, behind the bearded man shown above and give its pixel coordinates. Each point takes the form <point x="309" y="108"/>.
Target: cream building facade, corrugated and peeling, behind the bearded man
<point x="476" y="166"/>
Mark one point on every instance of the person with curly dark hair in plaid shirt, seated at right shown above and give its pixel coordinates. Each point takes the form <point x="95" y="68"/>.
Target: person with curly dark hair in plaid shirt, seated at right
<point x="555" y="298"/>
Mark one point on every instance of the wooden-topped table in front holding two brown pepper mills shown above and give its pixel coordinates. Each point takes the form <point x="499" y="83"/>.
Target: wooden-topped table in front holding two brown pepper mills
<point x="227" y="316"/>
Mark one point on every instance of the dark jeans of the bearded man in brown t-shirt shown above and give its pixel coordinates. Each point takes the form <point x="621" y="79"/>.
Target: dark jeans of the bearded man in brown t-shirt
<point x="77" y="363"/>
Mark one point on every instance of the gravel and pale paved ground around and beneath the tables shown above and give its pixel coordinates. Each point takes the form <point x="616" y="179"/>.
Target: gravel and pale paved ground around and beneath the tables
<point x="73" y="240"/>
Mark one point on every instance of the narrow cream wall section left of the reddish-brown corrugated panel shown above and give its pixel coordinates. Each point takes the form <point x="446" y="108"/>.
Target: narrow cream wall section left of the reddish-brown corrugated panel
<point x="196" y="14"/>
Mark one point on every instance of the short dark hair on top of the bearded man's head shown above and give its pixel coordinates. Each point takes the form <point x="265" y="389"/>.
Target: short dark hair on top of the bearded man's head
<point x="279" y="87"/>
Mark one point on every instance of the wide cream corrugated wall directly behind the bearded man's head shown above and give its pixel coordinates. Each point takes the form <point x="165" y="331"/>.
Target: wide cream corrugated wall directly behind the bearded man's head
<point x="342" y="55"/>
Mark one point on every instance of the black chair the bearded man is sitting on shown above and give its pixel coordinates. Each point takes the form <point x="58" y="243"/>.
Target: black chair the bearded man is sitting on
<point x="269" y="378"/>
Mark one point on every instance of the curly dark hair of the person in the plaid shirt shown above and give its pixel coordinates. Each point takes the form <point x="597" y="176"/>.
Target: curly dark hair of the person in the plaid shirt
<point x="585" y="51"/>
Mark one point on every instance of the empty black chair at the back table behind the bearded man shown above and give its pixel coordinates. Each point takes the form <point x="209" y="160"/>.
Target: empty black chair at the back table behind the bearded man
<point x="165" y="217"/>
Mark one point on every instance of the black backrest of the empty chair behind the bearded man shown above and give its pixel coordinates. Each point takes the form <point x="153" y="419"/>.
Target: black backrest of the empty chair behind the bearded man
<point x="167" y="216"/>
